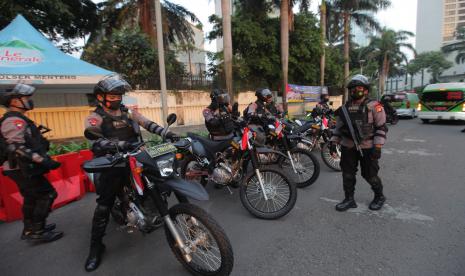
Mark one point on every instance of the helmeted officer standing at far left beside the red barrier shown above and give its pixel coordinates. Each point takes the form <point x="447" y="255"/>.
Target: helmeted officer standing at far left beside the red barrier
<point x="26" y="163"/>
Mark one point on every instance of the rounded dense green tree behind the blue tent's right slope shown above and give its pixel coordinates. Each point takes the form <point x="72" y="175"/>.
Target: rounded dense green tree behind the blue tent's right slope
<point x="130" y="53"/>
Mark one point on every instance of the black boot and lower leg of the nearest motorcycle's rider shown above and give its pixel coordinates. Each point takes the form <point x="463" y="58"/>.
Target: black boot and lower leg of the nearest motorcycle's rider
<point x="99" y="224"/>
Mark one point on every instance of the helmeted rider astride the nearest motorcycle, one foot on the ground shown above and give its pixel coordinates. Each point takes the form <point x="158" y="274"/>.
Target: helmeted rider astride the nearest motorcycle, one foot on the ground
<point x="120" y="128"/>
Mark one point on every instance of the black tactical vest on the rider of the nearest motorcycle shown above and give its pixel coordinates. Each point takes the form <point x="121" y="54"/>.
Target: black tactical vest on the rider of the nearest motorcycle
<point x="121" y="127"/>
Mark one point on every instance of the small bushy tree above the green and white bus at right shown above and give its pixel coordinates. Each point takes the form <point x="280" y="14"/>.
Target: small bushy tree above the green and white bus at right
<point x="434" y="62"/>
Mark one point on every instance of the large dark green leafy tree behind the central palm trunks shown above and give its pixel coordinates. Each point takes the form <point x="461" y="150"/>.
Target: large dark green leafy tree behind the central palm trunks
<point x="257" y="50"/>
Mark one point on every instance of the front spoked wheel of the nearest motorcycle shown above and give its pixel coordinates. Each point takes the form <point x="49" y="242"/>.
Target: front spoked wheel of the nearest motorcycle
<point x="210" y="250"/>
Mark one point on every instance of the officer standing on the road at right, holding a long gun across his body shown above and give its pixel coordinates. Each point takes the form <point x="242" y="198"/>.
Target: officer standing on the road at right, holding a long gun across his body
<point x="369" y="121"/>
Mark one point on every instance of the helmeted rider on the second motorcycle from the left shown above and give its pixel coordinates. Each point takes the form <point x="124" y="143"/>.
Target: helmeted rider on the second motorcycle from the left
<point x="219" y="117"/>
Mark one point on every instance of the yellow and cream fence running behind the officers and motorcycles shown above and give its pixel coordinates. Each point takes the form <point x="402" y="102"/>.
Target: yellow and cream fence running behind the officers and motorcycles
<point x="68" y="122"/>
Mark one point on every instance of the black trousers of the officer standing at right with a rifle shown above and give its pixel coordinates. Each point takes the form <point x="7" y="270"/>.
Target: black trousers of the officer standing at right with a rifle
<point x="350" y="158"/>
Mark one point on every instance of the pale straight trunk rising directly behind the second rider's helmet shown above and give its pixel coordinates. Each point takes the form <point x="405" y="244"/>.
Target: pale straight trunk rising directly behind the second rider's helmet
<point x="227" y="45"/>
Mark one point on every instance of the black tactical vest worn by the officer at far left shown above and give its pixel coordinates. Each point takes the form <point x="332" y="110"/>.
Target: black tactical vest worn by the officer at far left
<point x="33" y="141"/>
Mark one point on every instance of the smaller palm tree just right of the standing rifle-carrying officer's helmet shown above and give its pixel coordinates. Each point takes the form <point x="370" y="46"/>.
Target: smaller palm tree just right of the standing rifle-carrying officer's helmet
<point x="387" y="49"/>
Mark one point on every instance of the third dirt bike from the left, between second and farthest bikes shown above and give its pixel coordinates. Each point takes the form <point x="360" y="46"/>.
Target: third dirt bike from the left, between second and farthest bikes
<point x="300" y="164"/>
